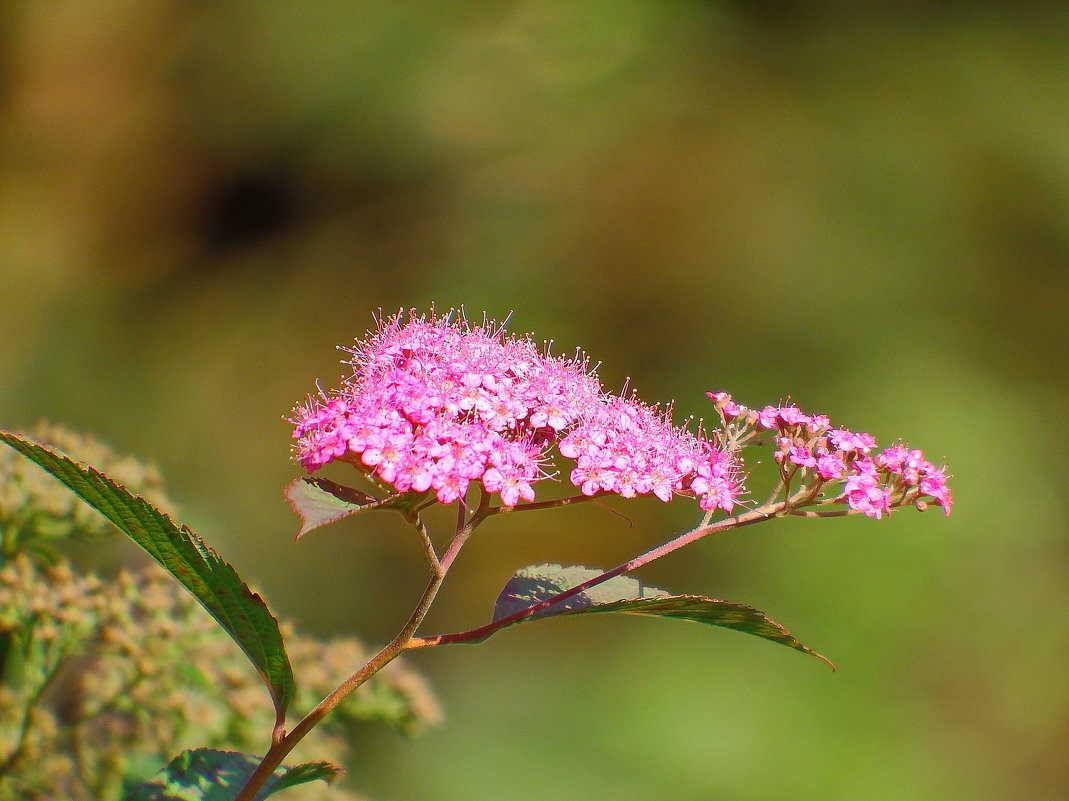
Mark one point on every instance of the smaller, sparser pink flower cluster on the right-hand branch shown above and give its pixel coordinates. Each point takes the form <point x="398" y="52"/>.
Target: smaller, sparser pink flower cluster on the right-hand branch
<point x="872" y="485"/>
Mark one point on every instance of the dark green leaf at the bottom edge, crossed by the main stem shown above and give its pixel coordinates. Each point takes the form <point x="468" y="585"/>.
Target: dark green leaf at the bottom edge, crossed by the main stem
<point x="206" y="775"/>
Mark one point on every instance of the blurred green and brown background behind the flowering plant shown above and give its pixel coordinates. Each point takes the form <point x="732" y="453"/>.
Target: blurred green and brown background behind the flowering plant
<point x="866" y="210"/>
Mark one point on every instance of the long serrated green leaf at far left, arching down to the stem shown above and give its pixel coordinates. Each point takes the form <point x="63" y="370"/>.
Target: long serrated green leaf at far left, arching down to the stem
<point x="240" y="611"/>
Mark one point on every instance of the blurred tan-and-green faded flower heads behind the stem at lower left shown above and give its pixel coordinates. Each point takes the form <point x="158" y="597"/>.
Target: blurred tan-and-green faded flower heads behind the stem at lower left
<point x="104" y="681"/>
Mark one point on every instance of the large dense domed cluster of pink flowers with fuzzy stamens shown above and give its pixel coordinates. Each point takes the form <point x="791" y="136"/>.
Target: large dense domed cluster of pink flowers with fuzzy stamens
<point x="437" y="404"/>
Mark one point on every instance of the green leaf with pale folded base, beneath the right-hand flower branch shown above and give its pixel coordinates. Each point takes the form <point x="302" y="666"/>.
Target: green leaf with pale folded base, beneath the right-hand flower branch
<point x="628" y="596"/>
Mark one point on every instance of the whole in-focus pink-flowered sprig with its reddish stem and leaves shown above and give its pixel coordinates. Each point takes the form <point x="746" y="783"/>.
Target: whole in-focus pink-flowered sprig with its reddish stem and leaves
<point x="439" y="411"/>
